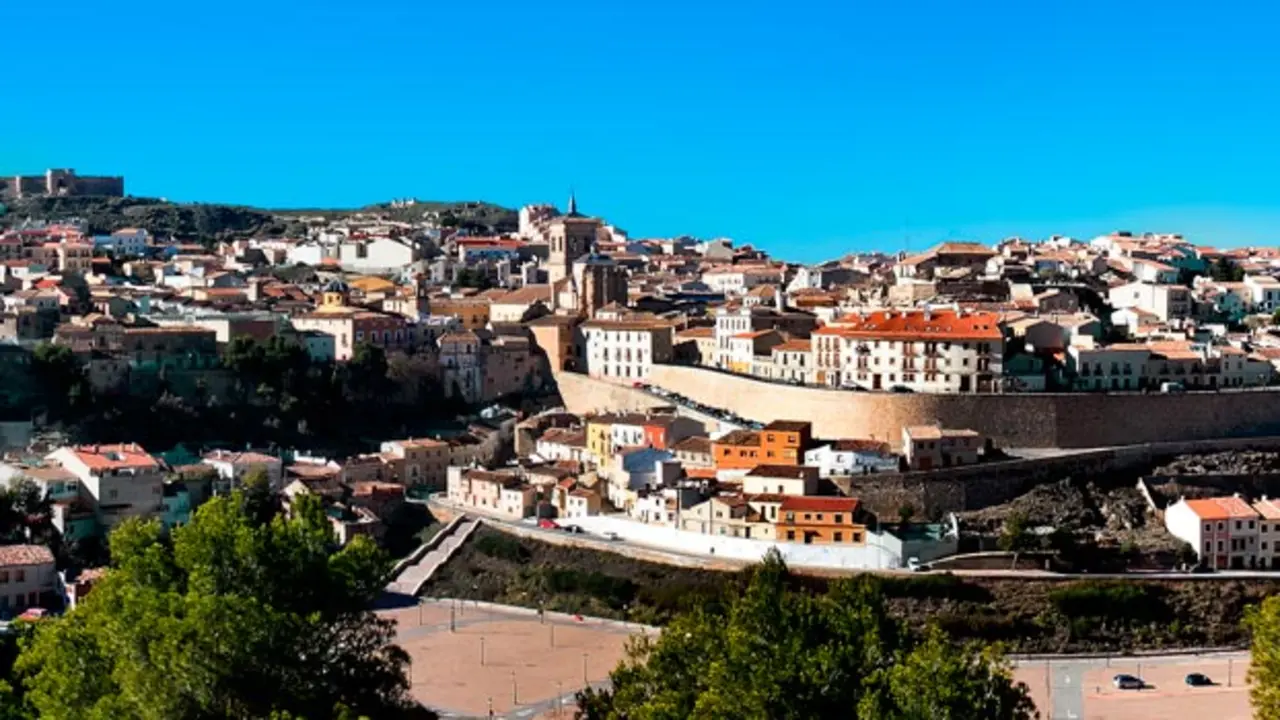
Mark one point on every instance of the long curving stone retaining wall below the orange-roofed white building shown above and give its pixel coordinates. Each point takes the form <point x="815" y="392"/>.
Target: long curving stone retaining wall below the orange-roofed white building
<point x="1075" y="421"/>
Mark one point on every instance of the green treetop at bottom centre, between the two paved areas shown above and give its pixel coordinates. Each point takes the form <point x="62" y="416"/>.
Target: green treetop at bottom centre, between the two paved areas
<point x="774" y="653"/>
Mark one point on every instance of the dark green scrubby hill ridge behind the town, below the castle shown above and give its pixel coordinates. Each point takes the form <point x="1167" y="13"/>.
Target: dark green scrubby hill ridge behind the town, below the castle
<point x="211" y="222"/>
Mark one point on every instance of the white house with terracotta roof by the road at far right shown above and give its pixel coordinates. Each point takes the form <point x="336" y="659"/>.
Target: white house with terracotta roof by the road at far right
<point x="1224" y="531"/>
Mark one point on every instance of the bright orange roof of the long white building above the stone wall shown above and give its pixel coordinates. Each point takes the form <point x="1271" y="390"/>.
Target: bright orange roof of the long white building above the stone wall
<point x="918" y="325"/>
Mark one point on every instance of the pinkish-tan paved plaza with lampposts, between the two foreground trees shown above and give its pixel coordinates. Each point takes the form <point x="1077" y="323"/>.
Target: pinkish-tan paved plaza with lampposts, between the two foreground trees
<point x="506" y="660"/>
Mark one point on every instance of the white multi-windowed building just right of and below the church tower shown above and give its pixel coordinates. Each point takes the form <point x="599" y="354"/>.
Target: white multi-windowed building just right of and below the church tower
<point x="625" y="350"/>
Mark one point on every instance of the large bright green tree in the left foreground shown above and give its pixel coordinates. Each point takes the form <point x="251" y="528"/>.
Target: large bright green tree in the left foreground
<point x="223" y="619"/>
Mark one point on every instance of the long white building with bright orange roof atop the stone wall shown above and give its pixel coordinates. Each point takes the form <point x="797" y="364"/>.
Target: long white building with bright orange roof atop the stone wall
<point x="913" y="350"/>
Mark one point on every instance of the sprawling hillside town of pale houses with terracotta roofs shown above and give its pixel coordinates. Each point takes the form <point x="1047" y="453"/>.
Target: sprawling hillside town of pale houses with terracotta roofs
<point x="491" y="323"/>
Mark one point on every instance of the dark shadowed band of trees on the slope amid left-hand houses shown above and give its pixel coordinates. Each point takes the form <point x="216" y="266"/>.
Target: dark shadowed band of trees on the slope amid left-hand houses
<point x="266" y="394"/>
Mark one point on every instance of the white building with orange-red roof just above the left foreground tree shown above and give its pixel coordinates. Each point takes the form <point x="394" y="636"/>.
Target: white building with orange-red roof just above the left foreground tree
<point x="117" y="481"/>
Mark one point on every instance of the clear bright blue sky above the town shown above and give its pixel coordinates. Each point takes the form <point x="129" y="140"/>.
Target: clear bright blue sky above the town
<point x="808" y="129"/>
